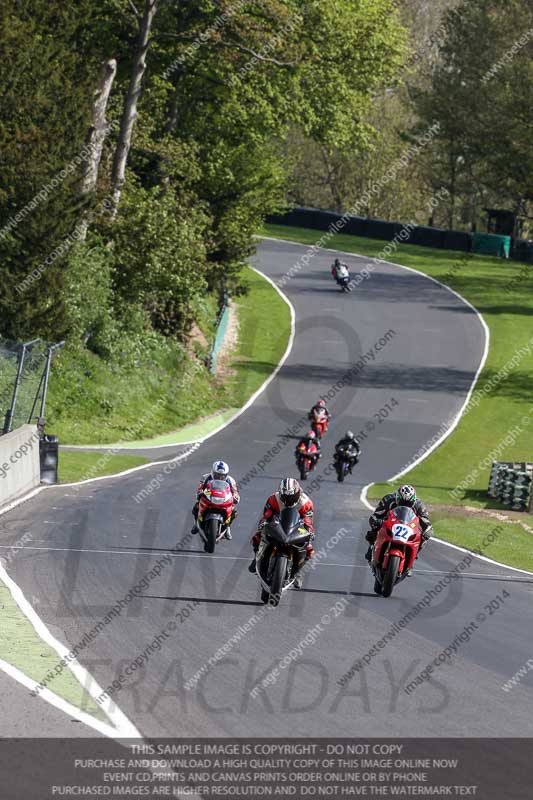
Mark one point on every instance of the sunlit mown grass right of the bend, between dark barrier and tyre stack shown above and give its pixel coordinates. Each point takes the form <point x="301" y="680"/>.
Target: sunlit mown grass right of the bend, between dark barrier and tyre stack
<point x="503" y="292"/>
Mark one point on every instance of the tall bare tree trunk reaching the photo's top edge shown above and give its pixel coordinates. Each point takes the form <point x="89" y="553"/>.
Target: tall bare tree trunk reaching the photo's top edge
<point x="130" y="106"/>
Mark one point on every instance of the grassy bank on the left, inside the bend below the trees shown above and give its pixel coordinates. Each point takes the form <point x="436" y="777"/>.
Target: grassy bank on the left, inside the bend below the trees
<point x="92" y="402"/>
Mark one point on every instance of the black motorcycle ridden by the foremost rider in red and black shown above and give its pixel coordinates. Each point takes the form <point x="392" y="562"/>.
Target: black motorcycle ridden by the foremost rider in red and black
<point x="281" y="554"/>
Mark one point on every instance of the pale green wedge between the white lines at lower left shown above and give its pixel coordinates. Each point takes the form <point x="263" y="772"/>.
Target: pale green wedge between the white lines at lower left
<point x="21" y="647"/>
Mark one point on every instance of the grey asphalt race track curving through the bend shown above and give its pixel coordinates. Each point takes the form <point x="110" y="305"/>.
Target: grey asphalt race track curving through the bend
<point x="99" y="542"/>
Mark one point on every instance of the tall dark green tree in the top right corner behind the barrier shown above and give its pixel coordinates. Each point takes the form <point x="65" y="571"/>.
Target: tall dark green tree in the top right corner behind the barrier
<point x="482" y="94"/>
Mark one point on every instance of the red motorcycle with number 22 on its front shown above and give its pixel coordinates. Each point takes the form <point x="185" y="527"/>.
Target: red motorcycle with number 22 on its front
<point x="396" y="547"/>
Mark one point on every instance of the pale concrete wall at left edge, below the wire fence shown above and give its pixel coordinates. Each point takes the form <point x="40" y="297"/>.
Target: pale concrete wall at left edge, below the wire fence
<point x="19" y="463"/>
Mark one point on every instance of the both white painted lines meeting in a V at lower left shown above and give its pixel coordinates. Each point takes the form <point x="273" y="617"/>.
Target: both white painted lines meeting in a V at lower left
<point x="122" y="726"/>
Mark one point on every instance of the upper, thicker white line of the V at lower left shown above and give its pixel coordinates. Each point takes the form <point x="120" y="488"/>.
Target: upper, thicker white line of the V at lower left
<point x="123" y="726"/>
